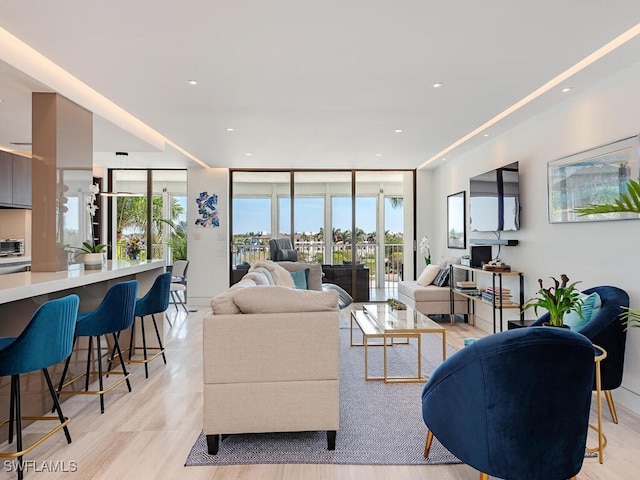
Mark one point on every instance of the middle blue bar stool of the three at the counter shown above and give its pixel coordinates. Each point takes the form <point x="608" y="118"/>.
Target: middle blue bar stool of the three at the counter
<point x="114" y="314"/>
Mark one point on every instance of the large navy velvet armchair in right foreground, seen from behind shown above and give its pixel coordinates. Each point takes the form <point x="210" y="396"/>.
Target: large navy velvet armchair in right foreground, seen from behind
<point x="514" y="405"/>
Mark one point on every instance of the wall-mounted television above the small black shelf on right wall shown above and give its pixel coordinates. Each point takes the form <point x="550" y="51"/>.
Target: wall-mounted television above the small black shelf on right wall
<point x="494" y="200"/>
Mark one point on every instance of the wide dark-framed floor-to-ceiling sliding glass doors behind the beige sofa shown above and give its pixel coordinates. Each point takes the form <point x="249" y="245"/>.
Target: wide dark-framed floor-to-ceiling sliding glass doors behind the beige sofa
<point x="321" y="224"/>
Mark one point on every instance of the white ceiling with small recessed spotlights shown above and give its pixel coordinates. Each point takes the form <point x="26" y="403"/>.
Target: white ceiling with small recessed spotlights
<point x="309" y="84"/>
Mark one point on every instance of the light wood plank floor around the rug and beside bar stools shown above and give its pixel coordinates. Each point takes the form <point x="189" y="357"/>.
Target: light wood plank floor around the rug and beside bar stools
<point x="147" y="434"/>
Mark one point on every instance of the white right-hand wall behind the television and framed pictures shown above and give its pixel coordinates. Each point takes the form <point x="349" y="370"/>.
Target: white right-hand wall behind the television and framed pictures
<point x="598" y="253"/>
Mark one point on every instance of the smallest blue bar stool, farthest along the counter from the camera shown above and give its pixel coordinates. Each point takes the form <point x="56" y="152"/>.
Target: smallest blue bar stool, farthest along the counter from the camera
<point x="155" y="301"/>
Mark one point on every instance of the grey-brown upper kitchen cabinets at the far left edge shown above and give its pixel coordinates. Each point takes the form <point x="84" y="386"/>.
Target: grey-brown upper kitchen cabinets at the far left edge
<point x="15" y="180"/>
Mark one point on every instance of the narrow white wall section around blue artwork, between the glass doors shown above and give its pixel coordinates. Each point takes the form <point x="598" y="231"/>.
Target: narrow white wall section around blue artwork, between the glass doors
<point x="208" y="248"/>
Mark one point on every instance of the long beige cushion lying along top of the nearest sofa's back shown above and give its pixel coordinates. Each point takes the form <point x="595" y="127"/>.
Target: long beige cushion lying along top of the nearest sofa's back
<point x="278" y="299"/>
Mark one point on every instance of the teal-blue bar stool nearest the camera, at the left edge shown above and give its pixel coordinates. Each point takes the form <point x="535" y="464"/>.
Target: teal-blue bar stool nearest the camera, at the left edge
<point x="47" y="340"/>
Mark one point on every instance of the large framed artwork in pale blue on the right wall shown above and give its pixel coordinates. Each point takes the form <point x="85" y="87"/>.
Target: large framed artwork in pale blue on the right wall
<point x="595" y="176"/>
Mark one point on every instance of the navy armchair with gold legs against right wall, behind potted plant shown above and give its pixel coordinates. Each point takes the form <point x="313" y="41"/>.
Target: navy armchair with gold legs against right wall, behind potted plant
<point x="606" y="330"/>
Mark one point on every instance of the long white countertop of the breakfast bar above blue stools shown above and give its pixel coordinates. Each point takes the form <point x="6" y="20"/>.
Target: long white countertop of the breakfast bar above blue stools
<point x="18" y="286"/>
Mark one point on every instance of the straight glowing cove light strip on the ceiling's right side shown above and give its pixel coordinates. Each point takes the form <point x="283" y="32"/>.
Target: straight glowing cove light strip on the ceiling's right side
<point x="590" y="59"/>
